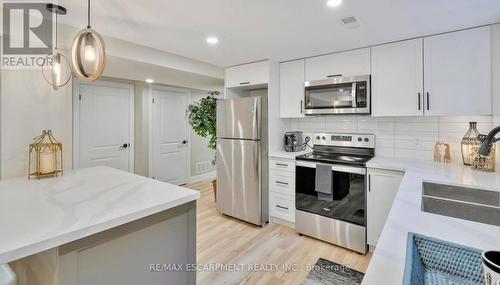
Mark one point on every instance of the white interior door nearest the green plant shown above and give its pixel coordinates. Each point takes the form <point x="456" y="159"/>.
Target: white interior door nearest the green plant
<point x="169" y="136"/>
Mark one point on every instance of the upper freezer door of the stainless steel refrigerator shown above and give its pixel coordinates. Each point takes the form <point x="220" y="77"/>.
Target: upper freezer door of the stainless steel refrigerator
<point x="239" y="118"/>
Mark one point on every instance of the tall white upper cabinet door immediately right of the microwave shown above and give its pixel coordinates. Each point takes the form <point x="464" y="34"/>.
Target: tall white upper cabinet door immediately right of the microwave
<point x="397" y="79"/>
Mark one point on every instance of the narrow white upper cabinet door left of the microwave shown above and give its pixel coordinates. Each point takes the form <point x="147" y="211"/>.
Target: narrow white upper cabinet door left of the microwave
<point x="292" y="89"/>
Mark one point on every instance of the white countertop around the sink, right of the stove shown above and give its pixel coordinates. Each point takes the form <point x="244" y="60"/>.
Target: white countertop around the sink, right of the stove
<point x="388" y="261"/>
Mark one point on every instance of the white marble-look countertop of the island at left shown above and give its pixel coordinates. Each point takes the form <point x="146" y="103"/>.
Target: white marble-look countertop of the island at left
<point x="36" y="215"/>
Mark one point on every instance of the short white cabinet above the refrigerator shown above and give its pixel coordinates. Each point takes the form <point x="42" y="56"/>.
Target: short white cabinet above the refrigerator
<point x="256" y="73"/>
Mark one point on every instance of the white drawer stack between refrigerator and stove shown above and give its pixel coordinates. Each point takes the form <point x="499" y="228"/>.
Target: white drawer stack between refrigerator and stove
<point x="282" y="189"/>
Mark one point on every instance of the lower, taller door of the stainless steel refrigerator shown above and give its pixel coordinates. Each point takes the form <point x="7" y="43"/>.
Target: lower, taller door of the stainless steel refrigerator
<point x="239" y="189"/>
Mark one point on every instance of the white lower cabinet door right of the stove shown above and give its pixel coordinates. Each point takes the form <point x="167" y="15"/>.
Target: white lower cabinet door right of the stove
<point x="382" y="189"/>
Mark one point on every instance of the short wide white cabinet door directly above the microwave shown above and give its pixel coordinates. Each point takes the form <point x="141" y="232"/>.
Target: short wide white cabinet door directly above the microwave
<point x="349" y="63"/>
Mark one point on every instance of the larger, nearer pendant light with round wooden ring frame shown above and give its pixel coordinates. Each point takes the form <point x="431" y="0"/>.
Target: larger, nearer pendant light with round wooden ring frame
<point x="88" y="54"/>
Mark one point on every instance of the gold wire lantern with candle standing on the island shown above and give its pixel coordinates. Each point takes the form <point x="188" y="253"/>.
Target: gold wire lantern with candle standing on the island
<point x="45" y="156"/>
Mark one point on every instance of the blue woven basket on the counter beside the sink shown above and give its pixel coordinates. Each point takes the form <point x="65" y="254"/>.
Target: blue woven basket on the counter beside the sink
<point x="433" y="261"/>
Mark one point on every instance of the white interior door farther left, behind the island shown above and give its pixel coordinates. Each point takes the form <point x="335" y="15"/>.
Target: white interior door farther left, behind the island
<point x="104" y="125"/>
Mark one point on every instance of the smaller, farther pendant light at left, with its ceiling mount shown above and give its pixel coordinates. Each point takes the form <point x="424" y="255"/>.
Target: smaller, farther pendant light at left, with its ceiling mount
<point x="56" y="58"/>
